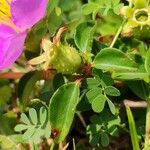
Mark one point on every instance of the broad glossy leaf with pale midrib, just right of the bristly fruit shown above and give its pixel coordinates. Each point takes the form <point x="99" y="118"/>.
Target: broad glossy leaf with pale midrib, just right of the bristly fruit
<point x="111" y="59"/>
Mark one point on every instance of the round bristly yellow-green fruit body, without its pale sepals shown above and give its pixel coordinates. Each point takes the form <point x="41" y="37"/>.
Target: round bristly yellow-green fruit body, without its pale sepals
<point x="64" y="58"/>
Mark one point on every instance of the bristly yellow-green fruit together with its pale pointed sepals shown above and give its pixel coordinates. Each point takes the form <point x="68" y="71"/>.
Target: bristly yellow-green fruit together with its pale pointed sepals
<point x="62" y="57"/>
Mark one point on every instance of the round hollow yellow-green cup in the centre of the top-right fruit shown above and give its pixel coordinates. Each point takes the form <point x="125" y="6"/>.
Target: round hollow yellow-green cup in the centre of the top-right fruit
<point x="141" y="16"/>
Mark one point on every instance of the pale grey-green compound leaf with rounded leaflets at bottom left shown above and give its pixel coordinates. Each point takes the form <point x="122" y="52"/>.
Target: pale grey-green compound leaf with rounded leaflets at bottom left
<point x="35" y="131"/>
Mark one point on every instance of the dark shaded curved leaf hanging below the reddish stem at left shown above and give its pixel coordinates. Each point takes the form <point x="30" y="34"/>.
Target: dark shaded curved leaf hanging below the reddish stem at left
<point x="26" y="86"/>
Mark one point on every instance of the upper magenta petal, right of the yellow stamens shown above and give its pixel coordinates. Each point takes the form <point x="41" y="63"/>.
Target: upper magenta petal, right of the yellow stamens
<point x="25" y="13"/>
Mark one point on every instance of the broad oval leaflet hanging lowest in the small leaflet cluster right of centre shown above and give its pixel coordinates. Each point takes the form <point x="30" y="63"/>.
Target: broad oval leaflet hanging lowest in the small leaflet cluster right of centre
<point x="98" y="103"/>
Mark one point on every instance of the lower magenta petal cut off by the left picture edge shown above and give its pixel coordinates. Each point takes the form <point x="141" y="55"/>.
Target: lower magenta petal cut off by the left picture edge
<point x="11" y="45"/>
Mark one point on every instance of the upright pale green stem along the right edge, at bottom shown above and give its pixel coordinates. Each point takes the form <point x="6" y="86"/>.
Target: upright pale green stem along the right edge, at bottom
<point x="147" y="134"/>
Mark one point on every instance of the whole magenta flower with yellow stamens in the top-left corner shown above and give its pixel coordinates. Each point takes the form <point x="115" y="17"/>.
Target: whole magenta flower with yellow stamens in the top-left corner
<point x="23" y="15"/>
